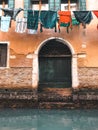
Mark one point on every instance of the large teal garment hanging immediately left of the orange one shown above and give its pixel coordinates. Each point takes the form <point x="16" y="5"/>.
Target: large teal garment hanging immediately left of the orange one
<point x="48" y="19"/>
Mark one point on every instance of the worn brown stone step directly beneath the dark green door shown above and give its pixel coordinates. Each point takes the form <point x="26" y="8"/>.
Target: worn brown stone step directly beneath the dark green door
<point x="55" y="95"/>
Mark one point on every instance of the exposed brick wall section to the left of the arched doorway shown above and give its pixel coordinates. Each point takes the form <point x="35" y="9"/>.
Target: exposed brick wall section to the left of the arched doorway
<point x="16" y="77"/>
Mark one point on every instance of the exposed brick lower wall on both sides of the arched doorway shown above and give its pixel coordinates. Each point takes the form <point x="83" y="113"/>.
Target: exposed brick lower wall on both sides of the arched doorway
<point x="22" y="77"/>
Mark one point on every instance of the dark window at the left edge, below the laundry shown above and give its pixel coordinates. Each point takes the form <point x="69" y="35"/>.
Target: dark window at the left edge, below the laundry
<point x="3" y="54"/>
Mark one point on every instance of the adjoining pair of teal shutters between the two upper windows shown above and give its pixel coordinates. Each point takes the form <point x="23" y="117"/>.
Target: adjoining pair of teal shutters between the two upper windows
<point x="54" y="5"/>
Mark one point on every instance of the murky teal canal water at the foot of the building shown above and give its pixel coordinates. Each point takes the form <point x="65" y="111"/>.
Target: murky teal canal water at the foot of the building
<point x="28" y="119"/>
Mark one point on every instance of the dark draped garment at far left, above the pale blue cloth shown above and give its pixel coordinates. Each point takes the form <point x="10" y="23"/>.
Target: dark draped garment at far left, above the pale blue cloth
<point x="11" y="12"/>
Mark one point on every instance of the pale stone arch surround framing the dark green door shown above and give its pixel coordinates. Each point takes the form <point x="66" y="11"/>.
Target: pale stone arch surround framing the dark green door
<point x="35" y="71"/>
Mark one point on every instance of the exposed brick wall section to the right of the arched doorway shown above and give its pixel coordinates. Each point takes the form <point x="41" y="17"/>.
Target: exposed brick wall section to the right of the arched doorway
<point x="88" y="77"/>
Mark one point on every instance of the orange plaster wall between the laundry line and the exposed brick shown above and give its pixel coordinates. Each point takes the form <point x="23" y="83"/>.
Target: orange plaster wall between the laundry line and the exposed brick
<point x="23" y="44"/>
